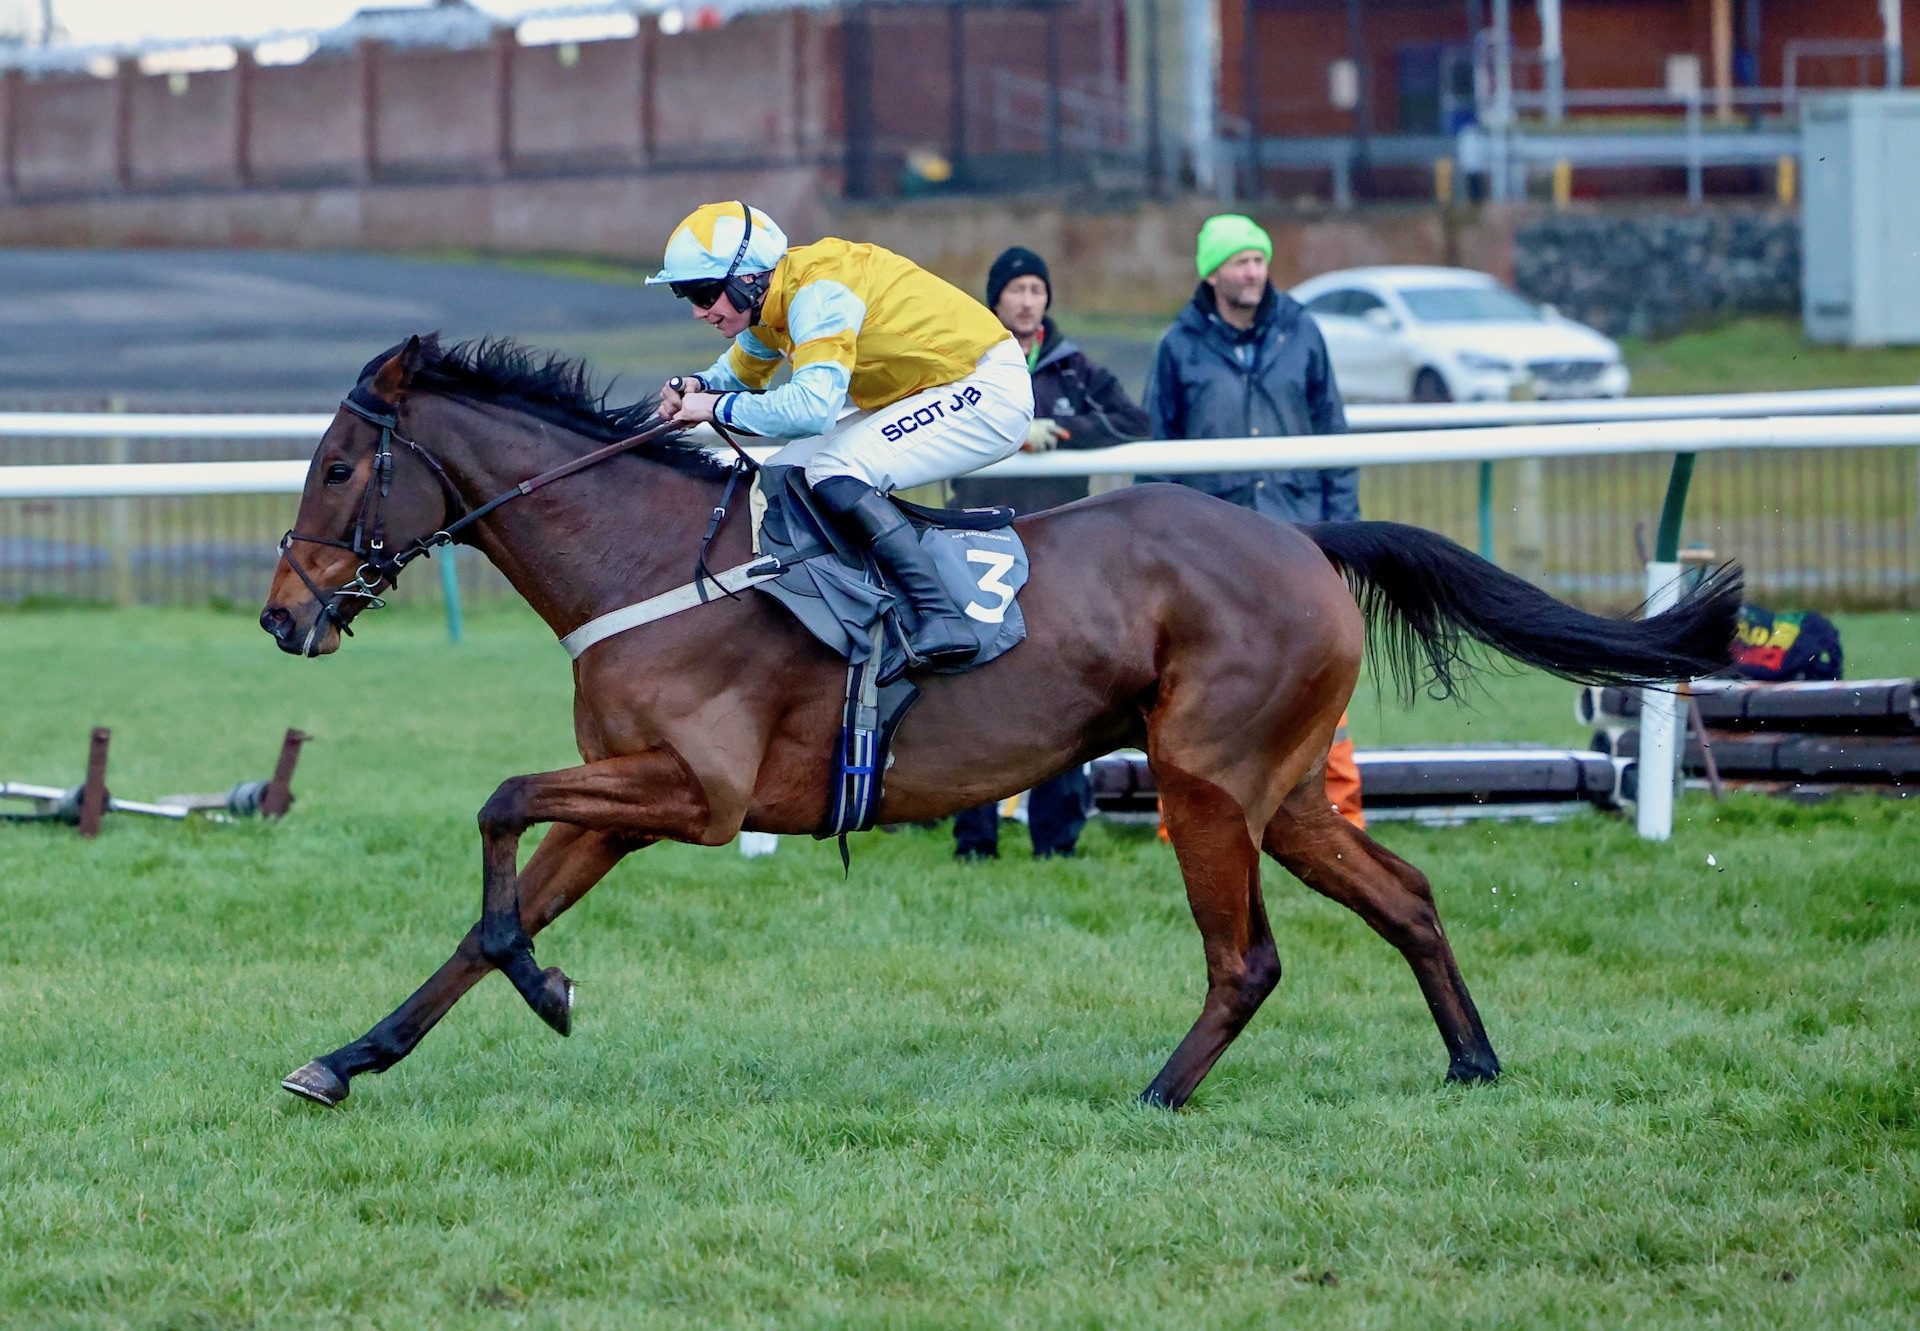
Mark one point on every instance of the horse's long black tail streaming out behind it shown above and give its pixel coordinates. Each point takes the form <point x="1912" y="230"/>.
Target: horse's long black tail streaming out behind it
<point x="1426" y="598"/>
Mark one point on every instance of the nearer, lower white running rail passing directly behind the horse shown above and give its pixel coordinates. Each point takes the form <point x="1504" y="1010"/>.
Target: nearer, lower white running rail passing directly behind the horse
<point x="1191" y="456"/>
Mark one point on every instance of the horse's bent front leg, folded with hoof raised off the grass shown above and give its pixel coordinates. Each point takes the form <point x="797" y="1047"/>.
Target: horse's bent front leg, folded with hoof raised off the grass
<point x="648" y="796"/>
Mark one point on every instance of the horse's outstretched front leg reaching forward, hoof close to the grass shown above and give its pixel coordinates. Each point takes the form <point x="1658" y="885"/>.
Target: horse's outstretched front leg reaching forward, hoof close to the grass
<point x="565" y="867"/>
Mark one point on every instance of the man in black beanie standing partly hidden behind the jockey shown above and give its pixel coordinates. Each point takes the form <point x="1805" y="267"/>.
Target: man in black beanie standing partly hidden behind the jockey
<point x="1076" y="404"/>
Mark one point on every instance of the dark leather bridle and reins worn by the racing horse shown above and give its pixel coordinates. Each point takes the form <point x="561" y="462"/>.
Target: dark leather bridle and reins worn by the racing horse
<point x="370" y="525"/>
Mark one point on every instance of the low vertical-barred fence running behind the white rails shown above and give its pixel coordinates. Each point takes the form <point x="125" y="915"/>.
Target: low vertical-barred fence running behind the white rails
<point x="1823" y="527"/>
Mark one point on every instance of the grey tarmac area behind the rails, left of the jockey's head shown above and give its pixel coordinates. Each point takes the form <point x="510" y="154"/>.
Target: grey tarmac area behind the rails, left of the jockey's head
<point x="226" y="329"/>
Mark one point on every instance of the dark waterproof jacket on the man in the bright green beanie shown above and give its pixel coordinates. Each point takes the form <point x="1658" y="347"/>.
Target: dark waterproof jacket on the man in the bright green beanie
<point x="1212" y="381"/>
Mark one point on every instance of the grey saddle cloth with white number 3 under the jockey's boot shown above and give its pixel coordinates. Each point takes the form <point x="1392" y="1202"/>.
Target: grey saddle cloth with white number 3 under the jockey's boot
<point x="838" y="594"/>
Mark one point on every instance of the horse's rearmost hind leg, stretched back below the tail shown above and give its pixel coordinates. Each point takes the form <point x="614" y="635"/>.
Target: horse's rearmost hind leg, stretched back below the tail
<point x="1343" y="863"/>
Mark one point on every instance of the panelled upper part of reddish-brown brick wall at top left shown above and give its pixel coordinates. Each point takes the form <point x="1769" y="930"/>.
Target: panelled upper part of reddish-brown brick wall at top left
<point x="756" y="91"/>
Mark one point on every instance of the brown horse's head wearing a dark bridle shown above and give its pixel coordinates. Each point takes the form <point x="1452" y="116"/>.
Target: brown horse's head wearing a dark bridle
<point x="373" y="496"/>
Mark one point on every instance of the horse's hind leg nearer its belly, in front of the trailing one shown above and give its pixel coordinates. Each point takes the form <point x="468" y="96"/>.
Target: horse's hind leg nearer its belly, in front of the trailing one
<point x="1222" y="871"/>
